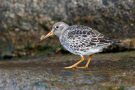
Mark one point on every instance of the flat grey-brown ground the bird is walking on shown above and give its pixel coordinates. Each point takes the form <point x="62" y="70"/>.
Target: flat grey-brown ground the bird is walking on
<point x="113" y="71"/>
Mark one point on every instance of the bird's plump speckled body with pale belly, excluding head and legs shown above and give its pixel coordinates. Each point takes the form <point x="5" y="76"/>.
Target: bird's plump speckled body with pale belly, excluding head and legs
<point x="83" y="40"/>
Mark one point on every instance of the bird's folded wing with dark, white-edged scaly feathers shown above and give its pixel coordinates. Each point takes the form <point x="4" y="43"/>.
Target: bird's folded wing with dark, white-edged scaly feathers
<point x="83" y="38"/>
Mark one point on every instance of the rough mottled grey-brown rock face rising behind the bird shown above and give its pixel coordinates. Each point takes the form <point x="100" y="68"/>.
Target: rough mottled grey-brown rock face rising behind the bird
<point x="23" y="21"/>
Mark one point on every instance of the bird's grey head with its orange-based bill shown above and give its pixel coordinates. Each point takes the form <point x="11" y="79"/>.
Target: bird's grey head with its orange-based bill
<point x="57" y="30"/>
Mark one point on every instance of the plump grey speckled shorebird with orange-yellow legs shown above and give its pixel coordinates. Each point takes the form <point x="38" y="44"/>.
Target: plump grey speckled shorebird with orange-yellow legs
<point x="80" y="40"/>
